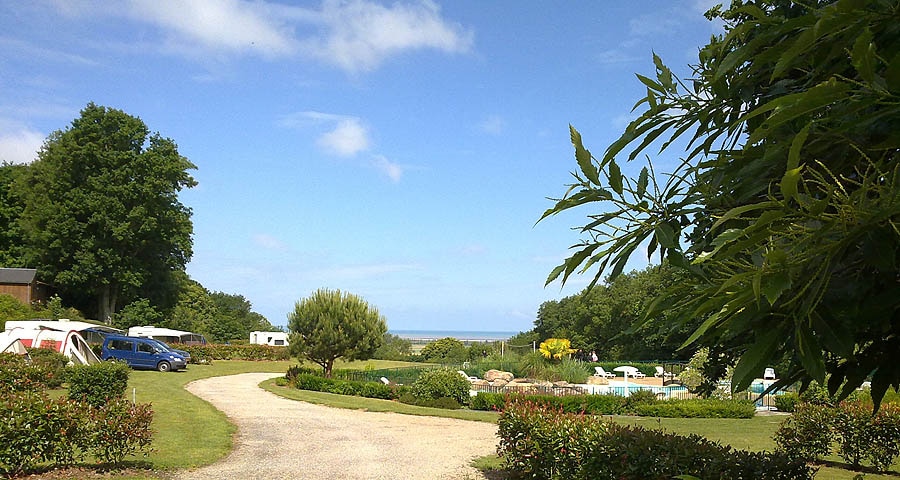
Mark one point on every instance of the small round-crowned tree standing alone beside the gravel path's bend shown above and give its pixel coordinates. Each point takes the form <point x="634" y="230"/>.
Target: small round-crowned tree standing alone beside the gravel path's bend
<point x="331" y="324"/>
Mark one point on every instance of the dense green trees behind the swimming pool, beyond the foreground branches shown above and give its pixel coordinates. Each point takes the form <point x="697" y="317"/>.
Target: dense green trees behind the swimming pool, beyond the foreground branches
<point x="609" y="319"/>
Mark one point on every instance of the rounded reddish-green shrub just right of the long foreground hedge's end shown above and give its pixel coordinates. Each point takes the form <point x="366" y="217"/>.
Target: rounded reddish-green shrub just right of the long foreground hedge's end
<point x="807" y="434"/>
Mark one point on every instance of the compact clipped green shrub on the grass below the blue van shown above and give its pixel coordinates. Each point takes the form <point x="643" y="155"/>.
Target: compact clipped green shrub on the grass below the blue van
<point x="96" y="384"/>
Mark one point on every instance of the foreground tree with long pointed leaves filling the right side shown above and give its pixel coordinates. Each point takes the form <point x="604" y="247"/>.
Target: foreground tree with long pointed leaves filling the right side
<point x="785" y="210"/>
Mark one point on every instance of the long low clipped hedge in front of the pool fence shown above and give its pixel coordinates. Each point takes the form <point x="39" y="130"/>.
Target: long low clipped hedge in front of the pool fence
<point x="643" y="405"/>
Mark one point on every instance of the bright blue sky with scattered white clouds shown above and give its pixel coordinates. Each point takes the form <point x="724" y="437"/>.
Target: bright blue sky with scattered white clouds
<point x="400" y="151"/>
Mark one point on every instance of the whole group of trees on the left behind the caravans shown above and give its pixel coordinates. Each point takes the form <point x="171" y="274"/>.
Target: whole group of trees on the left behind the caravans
<point x="97" y="215"/>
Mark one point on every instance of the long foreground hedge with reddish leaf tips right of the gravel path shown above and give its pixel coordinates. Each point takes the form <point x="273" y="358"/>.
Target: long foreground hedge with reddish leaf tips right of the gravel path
<point x="543" y="443"/>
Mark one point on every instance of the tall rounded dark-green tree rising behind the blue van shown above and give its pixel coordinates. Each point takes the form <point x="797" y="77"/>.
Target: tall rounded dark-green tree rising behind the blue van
<point x="102" y="216"/>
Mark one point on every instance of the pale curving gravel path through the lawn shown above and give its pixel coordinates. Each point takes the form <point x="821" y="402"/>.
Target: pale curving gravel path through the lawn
<point x="285" y="439"/>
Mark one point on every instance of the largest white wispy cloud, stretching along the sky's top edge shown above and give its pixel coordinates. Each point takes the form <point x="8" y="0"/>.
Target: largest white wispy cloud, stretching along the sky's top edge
<point x="353" y="35"/>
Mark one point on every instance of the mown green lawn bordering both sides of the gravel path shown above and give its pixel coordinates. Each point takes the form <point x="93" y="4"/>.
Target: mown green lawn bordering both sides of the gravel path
<point x="189" y="432"/>
